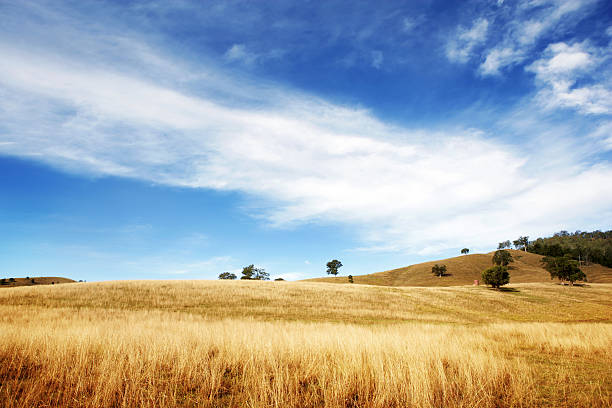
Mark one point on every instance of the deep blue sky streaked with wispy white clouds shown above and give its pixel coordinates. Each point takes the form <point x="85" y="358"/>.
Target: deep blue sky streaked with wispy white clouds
<point x="155" y="140"/>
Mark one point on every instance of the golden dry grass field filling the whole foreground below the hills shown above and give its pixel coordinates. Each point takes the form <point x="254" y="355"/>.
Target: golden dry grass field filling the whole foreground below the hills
<point x="283" y="344"/>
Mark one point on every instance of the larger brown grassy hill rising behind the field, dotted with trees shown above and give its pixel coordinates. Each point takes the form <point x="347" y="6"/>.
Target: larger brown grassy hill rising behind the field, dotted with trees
<point x="463" y="270"/>
